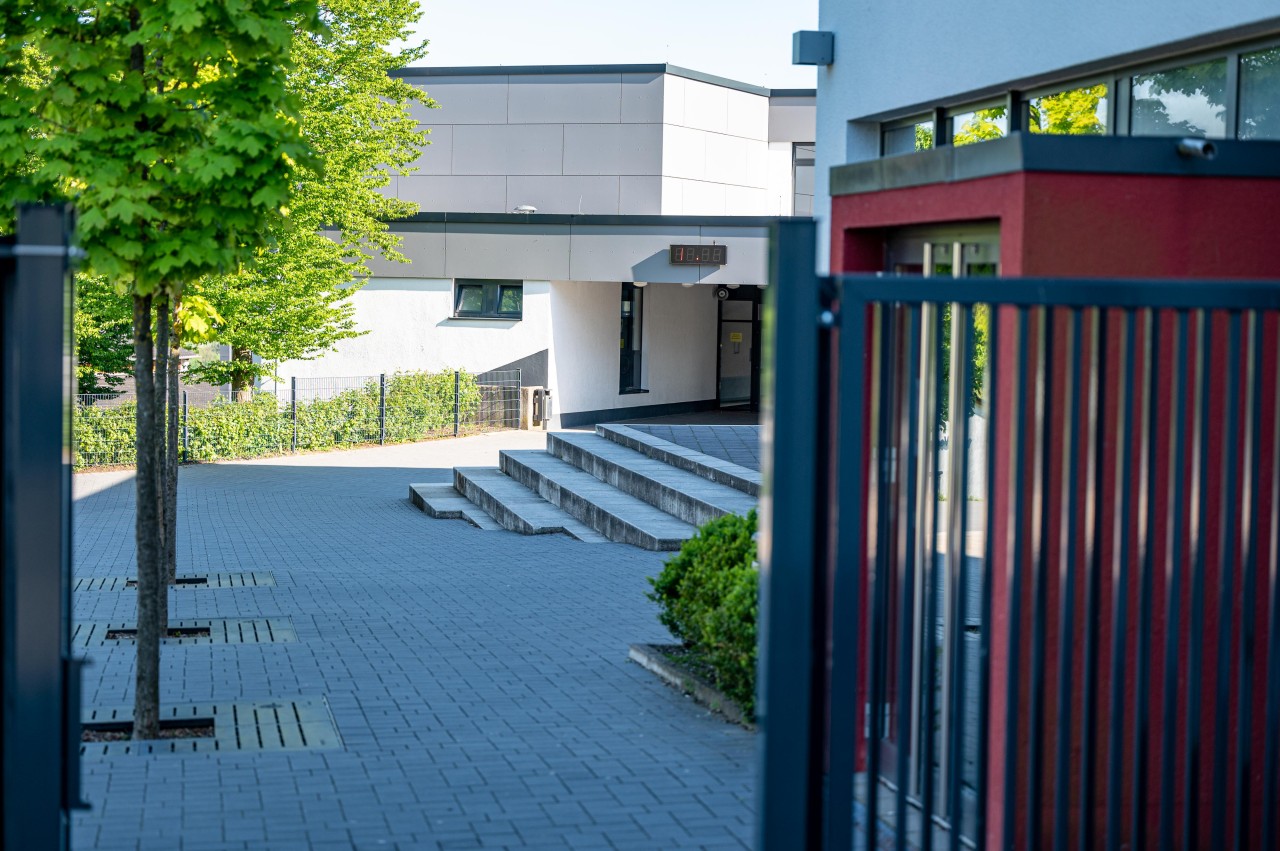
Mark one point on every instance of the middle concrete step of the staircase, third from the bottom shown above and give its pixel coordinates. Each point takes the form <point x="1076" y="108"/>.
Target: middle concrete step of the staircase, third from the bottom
<point x="620" y="518"/>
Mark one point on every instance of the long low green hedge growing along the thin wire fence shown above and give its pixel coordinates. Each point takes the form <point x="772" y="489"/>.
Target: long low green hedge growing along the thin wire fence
<point x="419" y="406"/>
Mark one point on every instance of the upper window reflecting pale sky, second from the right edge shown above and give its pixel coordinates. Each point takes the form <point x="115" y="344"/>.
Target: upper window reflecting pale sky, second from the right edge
<point x="1181" y="102"/>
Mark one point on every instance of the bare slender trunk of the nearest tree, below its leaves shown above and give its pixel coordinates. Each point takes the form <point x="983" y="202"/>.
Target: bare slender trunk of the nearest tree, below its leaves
<point x="148" y="532"/>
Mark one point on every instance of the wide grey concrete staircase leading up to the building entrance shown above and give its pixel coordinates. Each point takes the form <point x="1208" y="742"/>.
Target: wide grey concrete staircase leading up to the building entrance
<point x="619" y="484"/>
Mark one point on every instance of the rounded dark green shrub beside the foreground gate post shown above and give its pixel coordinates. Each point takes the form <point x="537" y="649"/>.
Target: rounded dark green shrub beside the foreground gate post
<point x="708" y="593"/>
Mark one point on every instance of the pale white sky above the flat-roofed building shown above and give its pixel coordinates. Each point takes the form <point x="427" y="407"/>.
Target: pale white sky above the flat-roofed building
<point x="744" y="40"/>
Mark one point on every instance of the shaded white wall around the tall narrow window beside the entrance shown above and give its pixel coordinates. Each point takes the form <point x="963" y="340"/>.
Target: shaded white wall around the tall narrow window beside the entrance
<point x="680" y="346"/>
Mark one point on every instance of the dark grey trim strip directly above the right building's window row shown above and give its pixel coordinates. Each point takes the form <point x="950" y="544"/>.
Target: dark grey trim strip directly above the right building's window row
<point x="1200" y="43"/>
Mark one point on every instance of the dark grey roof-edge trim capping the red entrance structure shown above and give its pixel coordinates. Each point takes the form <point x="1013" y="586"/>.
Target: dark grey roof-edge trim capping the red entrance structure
<point x="1069" y="154"/>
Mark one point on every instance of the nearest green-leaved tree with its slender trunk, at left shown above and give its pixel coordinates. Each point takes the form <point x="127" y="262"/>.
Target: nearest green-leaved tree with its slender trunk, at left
<point x="170" y="126"/>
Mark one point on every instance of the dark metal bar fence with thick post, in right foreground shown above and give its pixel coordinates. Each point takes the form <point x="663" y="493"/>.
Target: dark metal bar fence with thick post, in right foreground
<point x="1080" y="648"/>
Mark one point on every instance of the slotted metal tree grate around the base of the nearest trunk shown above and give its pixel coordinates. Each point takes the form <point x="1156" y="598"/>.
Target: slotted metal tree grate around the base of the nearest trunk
<point x="304" y="724"/>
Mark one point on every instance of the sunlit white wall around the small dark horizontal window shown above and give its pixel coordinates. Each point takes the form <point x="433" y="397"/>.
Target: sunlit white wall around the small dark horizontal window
<point x="413" y="330"/>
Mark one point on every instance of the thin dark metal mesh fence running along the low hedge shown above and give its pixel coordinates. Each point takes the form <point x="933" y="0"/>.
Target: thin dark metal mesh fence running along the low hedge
<point x="318" y="414"/>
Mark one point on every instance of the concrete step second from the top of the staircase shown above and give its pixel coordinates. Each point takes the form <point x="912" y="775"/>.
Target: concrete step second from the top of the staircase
<point x="679" y="493"/>
